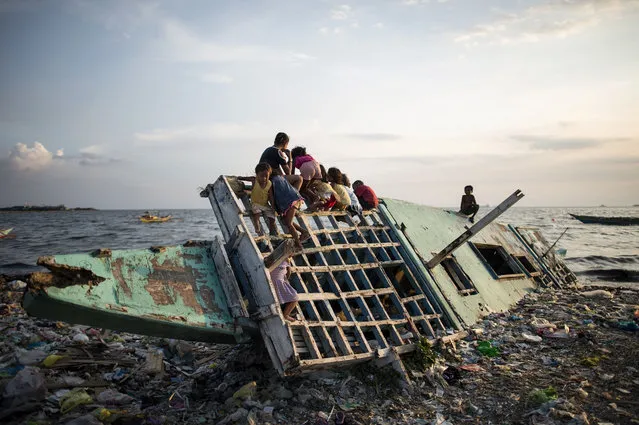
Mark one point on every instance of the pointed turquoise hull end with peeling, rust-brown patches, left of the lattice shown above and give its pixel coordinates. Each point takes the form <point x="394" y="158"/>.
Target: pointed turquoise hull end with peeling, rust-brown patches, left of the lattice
<point x="173" y="291"/>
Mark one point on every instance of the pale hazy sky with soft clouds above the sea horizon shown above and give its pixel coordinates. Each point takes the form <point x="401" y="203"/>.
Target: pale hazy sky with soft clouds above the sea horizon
<point x="136" y="104"/>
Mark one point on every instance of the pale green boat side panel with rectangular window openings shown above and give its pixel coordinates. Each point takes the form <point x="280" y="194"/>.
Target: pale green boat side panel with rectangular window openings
<point x="430" y="229"/>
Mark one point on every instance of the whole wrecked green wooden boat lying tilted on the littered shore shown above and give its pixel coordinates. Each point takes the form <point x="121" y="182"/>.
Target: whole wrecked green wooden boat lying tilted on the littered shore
<point x="368" y="290"/>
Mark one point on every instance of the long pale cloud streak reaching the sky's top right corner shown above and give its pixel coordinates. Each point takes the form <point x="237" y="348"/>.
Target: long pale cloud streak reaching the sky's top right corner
<point x="552" y="19"/>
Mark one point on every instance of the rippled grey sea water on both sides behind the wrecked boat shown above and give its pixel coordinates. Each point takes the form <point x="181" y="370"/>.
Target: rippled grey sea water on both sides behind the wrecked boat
<point x="594" y="252"/>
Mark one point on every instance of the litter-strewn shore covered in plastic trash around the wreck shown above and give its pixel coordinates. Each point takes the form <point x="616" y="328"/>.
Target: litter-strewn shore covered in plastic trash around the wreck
<point x="558" y="357"/>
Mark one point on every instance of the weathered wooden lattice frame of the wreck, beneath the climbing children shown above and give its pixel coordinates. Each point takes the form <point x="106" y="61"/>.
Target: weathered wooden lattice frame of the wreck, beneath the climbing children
<point x="359" y="299"/>
